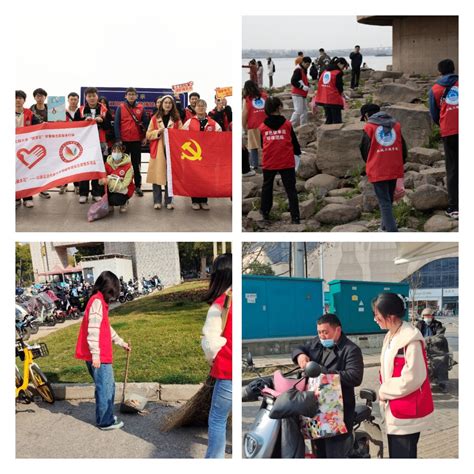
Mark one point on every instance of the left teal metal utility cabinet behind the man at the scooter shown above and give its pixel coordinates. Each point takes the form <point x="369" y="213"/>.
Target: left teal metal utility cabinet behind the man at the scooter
<point x="280" y="307"/>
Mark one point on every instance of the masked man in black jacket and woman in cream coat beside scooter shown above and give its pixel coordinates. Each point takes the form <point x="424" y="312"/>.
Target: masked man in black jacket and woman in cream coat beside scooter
<point x="405" y="396"/>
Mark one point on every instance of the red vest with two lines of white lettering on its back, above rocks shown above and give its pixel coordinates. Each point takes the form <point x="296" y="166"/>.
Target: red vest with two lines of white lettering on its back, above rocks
<point x="277" y="150"/>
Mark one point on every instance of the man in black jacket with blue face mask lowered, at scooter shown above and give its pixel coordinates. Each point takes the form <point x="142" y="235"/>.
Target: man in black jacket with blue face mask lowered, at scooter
<point x="335" y="354"/>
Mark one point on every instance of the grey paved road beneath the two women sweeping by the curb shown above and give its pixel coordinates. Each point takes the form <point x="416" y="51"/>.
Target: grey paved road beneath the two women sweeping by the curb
<point x="66" y="430"/>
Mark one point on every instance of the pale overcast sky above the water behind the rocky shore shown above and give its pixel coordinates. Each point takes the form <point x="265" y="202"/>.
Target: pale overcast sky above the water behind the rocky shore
<point x="311" y="32"/>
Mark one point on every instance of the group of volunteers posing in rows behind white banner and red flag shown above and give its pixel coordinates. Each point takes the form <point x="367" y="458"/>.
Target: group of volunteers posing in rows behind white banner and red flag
<point x="122" y="135"/>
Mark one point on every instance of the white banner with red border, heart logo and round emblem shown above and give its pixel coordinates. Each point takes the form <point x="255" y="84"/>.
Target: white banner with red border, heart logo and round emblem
<point x="53" y="154"/>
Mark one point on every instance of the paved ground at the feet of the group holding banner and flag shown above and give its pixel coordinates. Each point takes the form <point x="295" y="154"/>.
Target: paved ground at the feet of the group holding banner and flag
<point x="63" y="213"/>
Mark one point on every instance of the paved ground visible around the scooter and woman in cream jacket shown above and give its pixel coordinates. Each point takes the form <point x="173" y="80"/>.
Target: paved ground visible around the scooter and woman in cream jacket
<point x="441" y="439"/>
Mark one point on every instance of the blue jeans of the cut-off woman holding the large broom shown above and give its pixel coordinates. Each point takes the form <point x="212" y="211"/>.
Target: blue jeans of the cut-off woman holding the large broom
<point x="221" y="406"/>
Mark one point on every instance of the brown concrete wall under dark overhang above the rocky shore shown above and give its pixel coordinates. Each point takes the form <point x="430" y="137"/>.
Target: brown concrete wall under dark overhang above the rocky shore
<point x="420" y="42"/>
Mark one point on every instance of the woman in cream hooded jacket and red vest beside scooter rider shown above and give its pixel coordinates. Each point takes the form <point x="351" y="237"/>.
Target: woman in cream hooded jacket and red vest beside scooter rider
<point x="405" y="392"/>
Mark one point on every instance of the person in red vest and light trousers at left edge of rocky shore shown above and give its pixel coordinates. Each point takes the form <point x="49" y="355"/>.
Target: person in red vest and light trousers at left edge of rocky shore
<point x="253" y="114"/>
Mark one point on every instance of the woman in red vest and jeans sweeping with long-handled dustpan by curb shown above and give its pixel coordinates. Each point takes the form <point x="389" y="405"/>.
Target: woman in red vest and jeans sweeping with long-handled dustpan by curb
<point x="94" y="346"/>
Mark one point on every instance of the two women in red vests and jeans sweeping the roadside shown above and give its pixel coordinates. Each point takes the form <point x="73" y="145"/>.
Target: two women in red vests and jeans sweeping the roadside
<point x="95" y="347"/>
